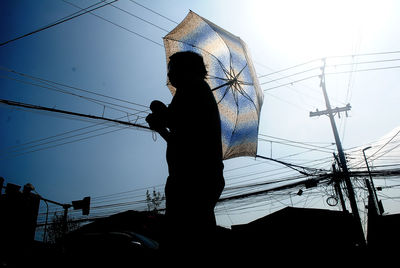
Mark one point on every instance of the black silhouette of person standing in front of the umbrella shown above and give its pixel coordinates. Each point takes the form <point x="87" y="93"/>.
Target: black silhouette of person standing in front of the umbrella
<point x="192" y="128"/>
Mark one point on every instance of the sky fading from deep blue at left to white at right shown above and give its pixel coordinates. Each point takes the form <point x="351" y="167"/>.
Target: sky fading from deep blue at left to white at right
<point x="110" y="58"/>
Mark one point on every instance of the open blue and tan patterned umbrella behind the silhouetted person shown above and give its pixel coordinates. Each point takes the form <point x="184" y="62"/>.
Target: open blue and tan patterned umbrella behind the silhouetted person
<point x="231" y="76"/>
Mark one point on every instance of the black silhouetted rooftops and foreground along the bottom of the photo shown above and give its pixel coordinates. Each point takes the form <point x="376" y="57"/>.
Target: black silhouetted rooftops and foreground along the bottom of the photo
<point x="291" y="236"/>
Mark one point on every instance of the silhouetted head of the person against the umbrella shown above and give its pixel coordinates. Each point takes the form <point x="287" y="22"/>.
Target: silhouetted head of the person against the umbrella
<point x="185" y="67"/>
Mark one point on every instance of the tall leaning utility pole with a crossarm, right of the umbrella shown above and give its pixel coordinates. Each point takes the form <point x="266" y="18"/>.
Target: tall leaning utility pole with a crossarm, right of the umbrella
<point x="342" y="158"/>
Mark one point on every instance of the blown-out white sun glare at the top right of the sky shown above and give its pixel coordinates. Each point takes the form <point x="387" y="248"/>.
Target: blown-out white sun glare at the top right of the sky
<point x="313" y="29"/>
